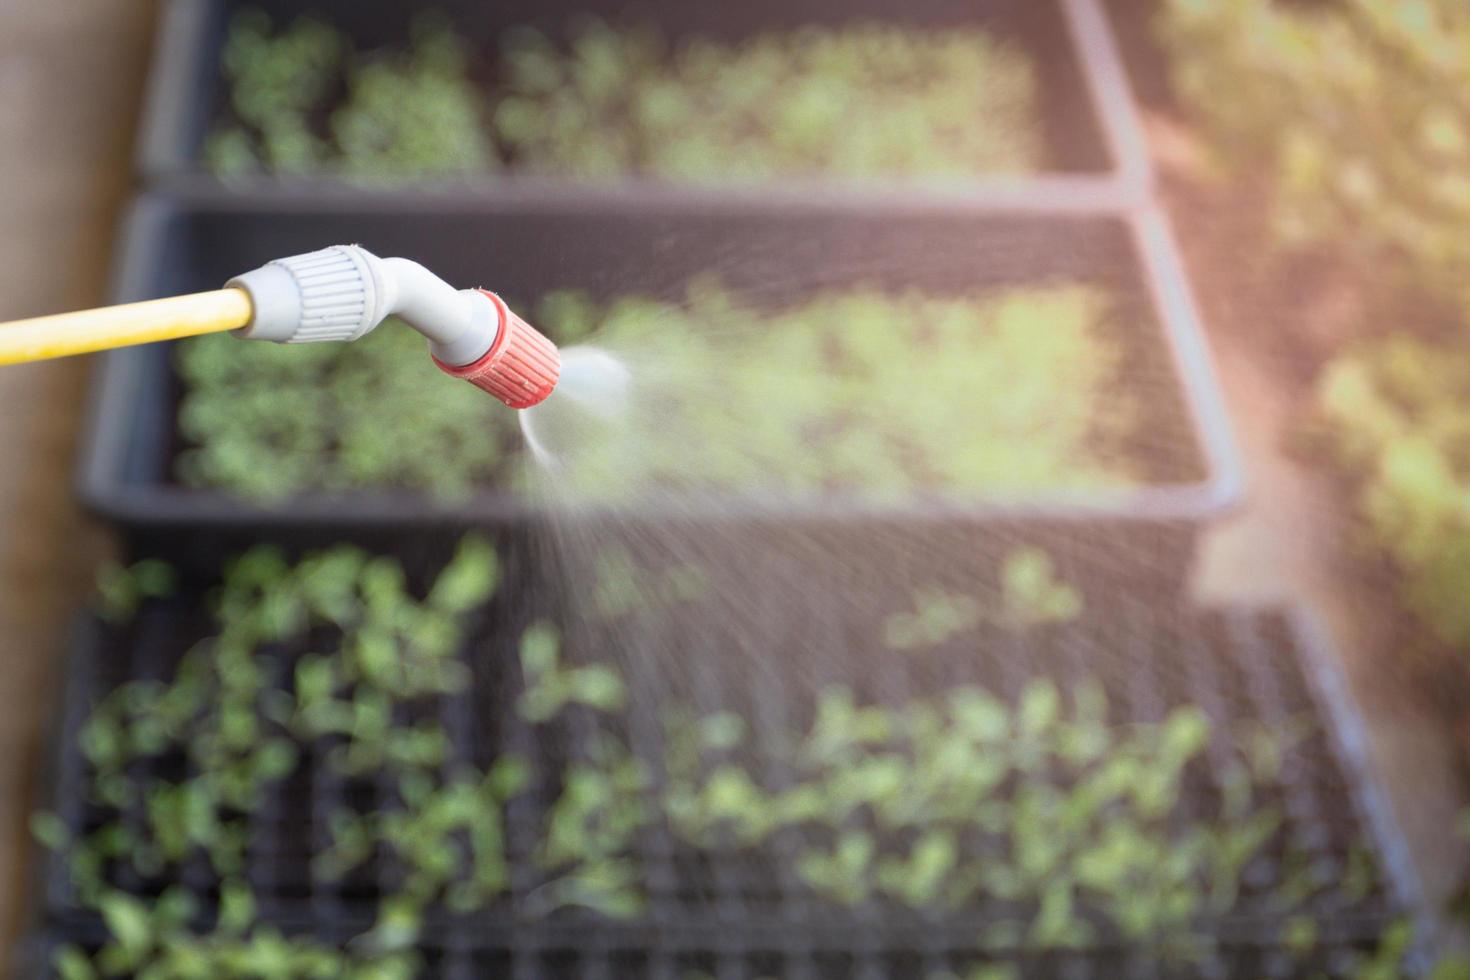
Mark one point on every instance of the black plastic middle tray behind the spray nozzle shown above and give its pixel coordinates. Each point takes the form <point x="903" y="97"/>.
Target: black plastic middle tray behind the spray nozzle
<point x="186" y="243"/>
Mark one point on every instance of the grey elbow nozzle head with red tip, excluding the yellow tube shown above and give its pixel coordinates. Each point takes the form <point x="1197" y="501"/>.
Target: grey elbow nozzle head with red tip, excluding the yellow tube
<point x="346" y="292"/>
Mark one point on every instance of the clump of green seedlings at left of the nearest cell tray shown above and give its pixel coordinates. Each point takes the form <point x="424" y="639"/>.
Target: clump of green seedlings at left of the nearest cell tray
<point x="183" y="765"/>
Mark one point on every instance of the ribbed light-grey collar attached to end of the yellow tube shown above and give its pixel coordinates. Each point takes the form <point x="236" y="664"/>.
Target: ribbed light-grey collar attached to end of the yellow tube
<point x="323" y="296"/>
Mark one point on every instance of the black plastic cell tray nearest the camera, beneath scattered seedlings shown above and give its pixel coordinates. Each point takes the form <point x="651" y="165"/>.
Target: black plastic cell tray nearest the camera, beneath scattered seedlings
<point x="742" y="916"/>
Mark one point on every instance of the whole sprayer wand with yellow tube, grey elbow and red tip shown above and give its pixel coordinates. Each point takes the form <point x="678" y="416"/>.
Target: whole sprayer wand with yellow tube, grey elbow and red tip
<point x="334" y="295"/>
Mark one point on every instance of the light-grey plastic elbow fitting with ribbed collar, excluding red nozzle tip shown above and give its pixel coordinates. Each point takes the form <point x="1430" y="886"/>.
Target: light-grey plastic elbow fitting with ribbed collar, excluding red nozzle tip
<point x="345" y="292"/>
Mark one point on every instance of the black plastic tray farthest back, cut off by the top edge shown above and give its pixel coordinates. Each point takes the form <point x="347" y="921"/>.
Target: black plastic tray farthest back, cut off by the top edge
<point x="1089" y="118"/>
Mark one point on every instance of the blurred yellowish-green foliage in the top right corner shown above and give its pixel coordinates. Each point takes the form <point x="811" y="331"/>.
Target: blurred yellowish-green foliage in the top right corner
<point x="1359" y="111"/>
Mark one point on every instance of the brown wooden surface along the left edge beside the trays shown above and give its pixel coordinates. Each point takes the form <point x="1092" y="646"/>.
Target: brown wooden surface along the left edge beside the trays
<point x="71" y="77"/>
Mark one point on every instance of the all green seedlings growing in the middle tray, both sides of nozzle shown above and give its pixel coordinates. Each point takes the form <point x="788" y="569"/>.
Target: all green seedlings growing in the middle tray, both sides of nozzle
<point x="811" y="399"/>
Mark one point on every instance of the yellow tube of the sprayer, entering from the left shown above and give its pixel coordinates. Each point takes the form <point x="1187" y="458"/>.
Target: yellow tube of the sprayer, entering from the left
<point x="124" y="325"/>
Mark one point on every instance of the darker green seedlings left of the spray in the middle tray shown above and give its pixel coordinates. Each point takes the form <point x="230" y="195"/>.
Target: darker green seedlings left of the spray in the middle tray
<point x="268" y="421"/>
